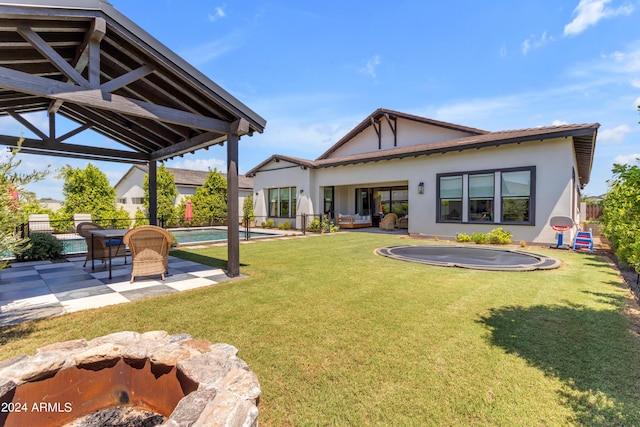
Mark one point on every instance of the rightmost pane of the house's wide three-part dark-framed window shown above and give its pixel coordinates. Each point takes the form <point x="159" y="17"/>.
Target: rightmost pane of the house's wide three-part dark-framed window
<point x="516" y="196"/>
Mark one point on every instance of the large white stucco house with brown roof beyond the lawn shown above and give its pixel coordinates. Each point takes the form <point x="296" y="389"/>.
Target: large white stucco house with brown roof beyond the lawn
<point x="444" y="178"/>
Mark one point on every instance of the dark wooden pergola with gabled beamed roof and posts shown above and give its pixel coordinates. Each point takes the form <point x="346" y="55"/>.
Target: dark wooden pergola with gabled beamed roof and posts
<point x="85" y="61"/>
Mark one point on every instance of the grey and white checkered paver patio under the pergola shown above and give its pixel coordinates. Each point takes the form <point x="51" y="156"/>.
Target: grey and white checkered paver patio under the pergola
<point x="42" y="289"/>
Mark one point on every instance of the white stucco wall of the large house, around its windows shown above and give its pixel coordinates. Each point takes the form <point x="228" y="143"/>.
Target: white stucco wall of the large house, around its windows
<point x="553" y="160"/>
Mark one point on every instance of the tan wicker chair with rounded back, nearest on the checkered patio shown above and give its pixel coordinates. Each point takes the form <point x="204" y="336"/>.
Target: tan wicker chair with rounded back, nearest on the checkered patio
<point x="149" y="246"/>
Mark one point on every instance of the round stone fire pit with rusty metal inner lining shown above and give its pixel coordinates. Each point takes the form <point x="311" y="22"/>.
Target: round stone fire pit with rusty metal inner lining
<point x="130" y="379"/>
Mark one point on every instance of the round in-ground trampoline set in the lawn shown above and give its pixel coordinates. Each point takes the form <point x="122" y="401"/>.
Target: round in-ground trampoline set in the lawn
<point x="479" y="258"/>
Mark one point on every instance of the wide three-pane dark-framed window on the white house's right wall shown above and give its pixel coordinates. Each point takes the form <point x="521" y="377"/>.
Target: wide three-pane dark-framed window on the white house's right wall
<point x="497" y="196"/>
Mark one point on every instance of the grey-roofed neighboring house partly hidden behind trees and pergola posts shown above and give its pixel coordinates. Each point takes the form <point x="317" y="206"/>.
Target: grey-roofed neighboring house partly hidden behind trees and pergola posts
<point x="130" y="190"/>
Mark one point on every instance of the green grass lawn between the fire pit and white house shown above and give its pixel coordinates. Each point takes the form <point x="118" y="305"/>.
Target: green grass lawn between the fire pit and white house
<point x="341" y="336"/>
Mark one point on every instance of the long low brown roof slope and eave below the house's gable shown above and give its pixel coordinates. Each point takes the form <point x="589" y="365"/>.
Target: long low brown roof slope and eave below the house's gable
<point x="584" y="139"/>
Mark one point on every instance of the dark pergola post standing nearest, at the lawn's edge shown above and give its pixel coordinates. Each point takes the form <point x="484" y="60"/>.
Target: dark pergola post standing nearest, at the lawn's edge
<point x="233" y="209"/>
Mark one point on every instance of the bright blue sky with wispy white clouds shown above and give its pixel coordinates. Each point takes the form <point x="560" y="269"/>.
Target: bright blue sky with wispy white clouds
<point x="314" y="70"/>
